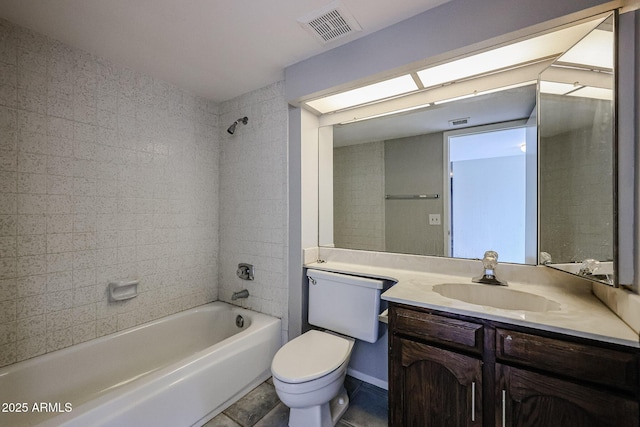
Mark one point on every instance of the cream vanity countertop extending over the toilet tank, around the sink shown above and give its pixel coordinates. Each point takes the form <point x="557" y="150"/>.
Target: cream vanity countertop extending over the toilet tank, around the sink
<point x="580" y="314"/>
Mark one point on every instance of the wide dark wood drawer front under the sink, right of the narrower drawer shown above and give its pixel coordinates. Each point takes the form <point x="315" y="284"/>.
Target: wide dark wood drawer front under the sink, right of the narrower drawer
<point x="584" y="362"/>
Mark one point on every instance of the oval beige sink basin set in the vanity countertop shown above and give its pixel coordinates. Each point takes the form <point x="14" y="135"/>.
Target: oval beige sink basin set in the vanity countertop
<point x="496" y="296"/>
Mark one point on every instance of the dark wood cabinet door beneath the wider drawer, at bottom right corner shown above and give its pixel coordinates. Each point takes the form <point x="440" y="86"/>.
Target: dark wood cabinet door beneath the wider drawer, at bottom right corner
<point x="525" y="398"/>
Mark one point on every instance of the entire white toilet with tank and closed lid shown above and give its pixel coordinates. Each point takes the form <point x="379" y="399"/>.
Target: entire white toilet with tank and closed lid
<point x="309" y="371"/>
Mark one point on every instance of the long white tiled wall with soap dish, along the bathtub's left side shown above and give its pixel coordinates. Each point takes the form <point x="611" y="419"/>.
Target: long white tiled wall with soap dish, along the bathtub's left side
<point x="105" y="174"/>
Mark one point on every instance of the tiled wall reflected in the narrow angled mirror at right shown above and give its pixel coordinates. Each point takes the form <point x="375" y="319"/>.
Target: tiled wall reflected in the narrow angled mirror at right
<point x="575" y="174"/>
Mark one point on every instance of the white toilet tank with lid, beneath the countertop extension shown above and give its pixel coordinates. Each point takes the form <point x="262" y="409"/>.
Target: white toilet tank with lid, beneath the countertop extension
<point x="345" y="304"/>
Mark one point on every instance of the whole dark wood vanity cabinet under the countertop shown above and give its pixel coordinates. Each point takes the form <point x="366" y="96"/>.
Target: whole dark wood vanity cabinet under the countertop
<point x="450" y="370"/>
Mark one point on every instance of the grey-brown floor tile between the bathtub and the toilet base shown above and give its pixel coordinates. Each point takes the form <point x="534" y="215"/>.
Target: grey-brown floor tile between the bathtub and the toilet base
<point x="255" y="405"/>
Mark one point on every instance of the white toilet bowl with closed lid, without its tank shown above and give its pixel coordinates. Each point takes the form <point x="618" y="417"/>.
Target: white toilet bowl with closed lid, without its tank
<point x="308" y="375"/>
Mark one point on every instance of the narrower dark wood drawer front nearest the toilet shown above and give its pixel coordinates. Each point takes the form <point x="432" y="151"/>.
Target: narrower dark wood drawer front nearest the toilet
<point x="452" y="332"/>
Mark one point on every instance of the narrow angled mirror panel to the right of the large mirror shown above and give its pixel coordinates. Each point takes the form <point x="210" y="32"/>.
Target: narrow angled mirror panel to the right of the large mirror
<point x="576" y="133"/>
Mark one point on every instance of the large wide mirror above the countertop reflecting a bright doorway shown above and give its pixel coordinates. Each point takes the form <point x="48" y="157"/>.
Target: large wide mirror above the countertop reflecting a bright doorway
<point x="389" y="191"/>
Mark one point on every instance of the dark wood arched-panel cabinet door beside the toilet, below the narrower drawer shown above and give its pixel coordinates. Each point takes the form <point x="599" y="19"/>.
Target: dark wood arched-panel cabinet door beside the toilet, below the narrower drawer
<point x="431" y="387"/>
